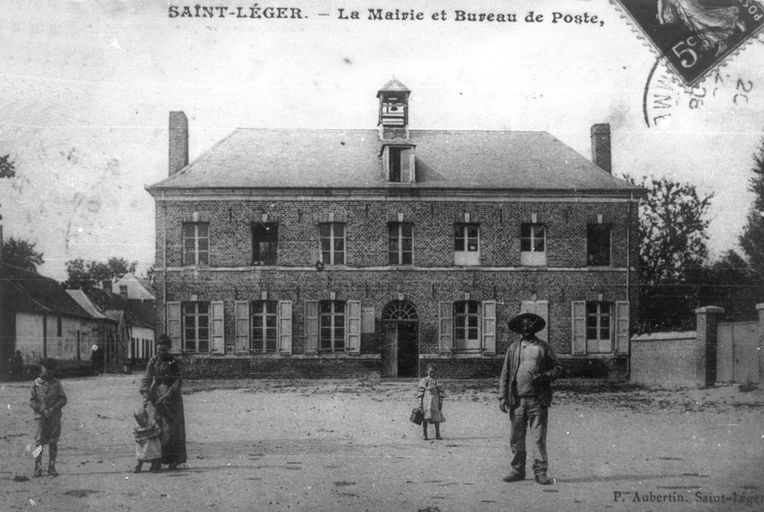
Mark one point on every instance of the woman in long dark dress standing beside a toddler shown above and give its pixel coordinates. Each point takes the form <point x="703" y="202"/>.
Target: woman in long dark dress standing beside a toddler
<point x="161" y="386"/>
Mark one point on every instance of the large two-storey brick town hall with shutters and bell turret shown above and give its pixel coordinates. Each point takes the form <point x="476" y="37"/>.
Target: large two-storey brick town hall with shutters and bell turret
<point x="303" y="252"/>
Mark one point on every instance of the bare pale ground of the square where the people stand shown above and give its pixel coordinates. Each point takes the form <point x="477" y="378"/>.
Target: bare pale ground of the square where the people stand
<point x="348" y="446"/>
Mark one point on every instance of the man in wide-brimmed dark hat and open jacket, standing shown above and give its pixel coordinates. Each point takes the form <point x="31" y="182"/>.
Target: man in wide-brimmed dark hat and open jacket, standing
<point x="525" y="392"/>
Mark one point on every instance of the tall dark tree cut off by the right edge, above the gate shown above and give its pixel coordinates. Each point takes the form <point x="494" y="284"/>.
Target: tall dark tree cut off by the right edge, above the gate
<point x="752" y="238"/>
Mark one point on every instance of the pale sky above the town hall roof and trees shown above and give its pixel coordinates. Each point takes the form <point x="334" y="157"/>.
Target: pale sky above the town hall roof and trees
<point x="86" y="87"/>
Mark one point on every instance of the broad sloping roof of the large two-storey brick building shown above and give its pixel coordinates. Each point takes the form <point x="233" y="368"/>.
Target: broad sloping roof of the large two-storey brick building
<point x="350" y="159"/>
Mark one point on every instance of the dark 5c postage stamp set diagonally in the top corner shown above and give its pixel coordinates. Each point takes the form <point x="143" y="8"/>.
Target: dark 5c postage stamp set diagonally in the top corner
<point x="695" y="35"/>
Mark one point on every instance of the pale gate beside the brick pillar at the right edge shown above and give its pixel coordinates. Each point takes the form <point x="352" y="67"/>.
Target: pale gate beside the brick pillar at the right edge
<point x="737" y="353"/>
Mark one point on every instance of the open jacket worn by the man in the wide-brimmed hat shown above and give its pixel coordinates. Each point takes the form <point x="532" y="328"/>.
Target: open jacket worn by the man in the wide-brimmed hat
<point x="549" y="368"/>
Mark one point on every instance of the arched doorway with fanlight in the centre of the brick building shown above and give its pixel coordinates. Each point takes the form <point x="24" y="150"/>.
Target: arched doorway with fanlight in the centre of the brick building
<point x="400" y="339"/>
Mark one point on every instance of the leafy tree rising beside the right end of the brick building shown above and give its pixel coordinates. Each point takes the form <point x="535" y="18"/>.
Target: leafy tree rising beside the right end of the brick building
<point x="673" y="227"/>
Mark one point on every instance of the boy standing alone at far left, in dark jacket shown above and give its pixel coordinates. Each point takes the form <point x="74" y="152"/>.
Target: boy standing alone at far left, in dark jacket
<point x="47" y="400"/>
